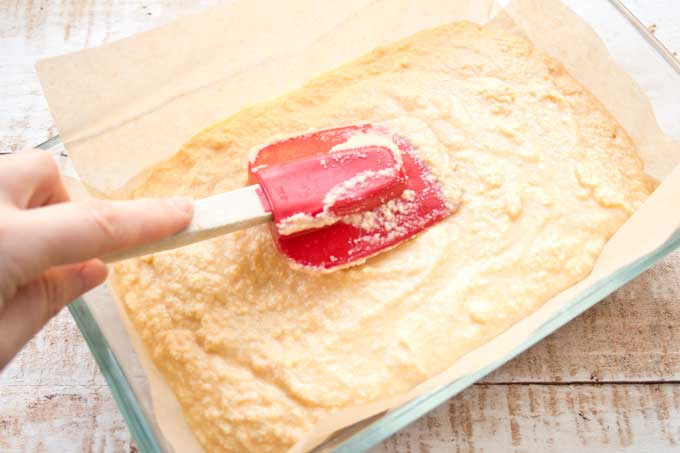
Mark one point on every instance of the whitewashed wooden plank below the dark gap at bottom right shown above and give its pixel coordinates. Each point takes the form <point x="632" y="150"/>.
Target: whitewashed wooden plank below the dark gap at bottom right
<point x="540" y="418"/>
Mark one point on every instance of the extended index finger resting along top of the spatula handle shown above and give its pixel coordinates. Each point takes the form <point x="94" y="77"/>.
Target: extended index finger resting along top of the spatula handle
<point x="73" y="232"/>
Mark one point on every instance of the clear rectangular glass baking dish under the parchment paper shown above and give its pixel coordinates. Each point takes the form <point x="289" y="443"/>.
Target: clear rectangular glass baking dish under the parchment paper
<point x="630" y="44"/>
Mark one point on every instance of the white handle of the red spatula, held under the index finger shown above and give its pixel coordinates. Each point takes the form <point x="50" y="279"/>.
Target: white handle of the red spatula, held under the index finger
<point x="213" y="216"/>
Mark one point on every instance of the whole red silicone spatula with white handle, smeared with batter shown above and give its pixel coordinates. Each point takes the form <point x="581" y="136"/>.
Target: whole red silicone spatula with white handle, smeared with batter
<point x="336" y="197"/>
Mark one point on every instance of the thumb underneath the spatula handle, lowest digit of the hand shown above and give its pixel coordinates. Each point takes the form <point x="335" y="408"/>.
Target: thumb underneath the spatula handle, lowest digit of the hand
<point x="37" y="302"/>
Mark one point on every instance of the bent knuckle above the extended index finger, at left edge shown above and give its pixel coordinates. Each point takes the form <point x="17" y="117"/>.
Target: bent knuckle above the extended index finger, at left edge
<point x="31" y="178"/>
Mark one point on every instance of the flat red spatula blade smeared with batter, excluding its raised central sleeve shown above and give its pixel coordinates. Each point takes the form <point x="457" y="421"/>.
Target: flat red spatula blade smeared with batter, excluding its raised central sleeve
<point x="357" y="237"/>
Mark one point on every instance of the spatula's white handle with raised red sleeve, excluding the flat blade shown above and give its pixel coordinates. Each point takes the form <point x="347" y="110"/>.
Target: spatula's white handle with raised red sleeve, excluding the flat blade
<point x="295" y="187"/>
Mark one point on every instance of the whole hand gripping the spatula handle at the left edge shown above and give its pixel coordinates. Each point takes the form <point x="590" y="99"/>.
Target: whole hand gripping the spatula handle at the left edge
<point x="49" y="245"/>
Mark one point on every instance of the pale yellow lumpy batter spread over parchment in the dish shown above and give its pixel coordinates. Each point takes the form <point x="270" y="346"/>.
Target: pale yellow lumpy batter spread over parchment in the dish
<point x="257" y="352"/>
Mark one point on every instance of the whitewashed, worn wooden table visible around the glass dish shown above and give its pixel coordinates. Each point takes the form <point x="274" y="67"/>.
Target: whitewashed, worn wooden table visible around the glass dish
<point x="609" y="381"/>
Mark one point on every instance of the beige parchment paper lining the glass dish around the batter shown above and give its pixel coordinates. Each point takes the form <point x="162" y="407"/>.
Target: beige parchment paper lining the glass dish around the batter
<point x="125" y="106"/>
